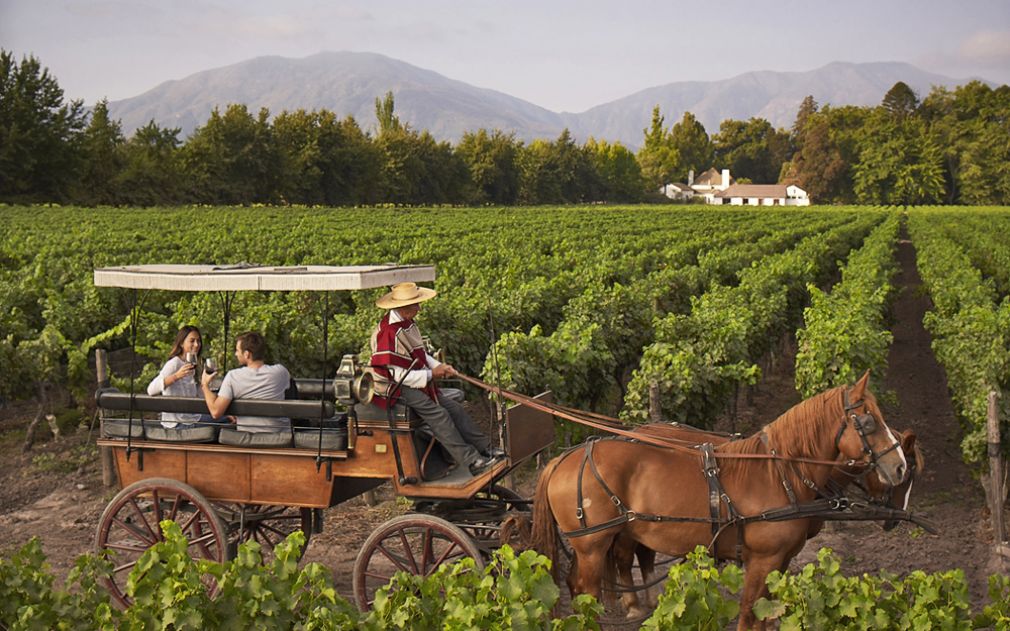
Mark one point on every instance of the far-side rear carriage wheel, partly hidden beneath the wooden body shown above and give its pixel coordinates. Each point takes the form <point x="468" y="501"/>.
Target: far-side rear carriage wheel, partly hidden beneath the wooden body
<point x="267" y="525"/>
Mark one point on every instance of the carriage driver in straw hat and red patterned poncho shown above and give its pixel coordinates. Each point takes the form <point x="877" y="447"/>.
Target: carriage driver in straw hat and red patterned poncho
<point x="398" y="357"/>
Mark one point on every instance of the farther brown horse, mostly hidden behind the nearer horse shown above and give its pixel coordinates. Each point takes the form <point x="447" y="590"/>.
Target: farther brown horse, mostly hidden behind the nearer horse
<point x="842" y="477"/>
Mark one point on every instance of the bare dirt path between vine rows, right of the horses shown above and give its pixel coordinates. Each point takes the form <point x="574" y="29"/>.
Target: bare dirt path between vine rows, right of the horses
<point x="946" y="494"/>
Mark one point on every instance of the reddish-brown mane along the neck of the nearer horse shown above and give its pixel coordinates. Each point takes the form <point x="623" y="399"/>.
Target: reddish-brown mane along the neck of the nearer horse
<point x="798" y="433"/>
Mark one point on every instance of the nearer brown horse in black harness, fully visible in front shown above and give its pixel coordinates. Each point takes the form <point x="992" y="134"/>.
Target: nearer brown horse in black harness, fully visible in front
<point x="659" y="497"/>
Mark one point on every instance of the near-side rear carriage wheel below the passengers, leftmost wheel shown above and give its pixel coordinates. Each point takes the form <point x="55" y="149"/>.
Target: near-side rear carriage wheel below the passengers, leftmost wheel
<point x="131" y="524"/>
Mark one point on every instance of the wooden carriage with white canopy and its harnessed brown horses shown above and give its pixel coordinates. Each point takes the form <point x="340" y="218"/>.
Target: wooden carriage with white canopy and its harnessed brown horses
<point x="756" y="500"/>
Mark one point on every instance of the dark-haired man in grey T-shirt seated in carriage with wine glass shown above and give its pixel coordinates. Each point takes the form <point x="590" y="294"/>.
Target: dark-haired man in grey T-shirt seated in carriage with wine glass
<point x="255" y="380"/>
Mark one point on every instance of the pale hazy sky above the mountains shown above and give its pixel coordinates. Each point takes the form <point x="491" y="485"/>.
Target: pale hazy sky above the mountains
<point x="566" y="55"/>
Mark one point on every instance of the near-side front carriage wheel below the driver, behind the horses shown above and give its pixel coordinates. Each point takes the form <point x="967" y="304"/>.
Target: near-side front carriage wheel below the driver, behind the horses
<point x="415" y="544"/>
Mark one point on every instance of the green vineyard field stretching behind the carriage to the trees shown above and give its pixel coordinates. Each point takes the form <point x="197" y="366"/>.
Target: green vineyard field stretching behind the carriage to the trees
<point x="643" y="312"/>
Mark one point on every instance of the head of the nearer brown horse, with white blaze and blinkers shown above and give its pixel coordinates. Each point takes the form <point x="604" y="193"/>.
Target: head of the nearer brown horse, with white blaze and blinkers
<point x="865" y="439"/>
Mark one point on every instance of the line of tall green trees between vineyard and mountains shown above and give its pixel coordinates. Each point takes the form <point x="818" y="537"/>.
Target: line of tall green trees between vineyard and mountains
<point x="950" y="148"/>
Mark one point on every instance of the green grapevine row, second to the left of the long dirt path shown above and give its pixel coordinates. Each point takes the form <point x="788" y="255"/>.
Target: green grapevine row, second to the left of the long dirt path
<point x="698" y="360"/>
